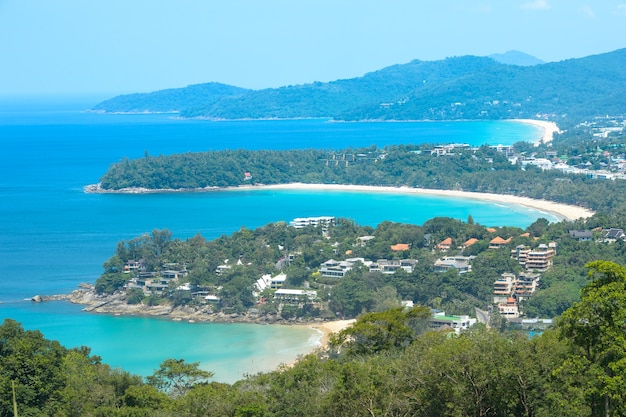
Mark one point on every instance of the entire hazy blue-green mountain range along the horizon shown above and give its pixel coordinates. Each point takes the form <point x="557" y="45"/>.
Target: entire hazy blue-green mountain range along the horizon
<point x="466" y="87"/>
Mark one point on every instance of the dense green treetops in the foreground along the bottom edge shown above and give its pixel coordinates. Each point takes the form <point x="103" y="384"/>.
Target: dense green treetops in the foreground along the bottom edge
<point x="386" y="364"/>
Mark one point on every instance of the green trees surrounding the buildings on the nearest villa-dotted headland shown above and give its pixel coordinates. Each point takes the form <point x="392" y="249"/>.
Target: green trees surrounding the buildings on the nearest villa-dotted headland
<point x="263" y="251"/>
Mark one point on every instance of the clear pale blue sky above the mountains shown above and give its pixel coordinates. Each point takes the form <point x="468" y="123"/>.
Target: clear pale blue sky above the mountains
<point x="110" y="47"/>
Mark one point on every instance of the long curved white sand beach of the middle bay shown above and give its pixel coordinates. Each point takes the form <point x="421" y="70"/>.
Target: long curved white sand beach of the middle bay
<point x="564" y="211"/>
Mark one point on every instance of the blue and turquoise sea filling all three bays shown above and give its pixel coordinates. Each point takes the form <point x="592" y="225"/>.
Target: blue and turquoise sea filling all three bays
<point x="54" y="236"/>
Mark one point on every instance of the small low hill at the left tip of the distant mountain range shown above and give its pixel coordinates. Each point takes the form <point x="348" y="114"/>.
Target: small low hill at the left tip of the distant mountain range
<point x="170" y="100"/>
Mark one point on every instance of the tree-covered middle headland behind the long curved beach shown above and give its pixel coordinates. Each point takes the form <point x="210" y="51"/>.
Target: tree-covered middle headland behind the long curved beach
<point x="399" y="165"/>
